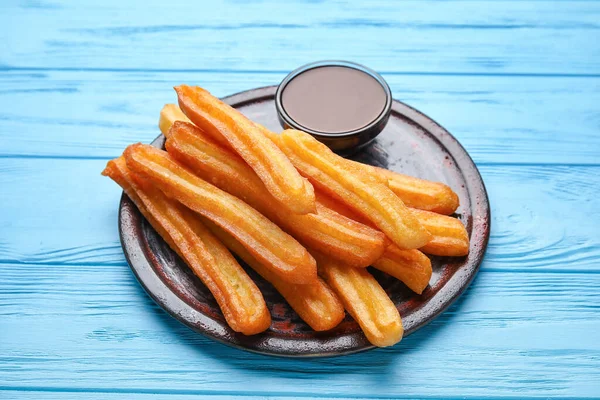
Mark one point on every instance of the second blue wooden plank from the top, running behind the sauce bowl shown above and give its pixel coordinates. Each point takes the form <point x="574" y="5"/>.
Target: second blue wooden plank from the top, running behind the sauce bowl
<point x="498" y="119"/>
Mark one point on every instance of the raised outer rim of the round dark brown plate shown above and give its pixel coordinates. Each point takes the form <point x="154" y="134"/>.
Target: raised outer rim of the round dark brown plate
<point x="135" y="247"/>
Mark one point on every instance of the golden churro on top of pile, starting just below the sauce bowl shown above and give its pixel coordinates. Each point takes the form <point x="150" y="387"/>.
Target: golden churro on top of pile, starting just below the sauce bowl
<point x="376" y="202"/>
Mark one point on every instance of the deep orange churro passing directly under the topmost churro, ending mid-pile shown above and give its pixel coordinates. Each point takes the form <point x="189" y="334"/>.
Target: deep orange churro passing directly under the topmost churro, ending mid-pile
<point x="325" y="230"/>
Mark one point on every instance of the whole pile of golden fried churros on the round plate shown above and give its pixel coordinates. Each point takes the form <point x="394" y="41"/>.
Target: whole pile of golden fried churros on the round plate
<point x="305" y="219"/>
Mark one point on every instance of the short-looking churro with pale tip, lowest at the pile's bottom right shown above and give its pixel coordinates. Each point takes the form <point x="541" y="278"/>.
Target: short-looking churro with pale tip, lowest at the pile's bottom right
<point x="365" y="300"/>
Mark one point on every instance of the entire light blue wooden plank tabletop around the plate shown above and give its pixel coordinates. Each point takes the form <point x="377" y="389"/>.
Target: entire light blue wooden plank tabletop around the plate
<point x="517" y="82"/>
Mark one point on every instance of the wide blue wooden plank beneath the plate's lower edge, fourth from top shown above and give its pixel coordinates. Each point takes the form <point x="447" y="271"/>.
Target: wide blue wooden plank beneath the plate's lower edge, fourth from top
<point x="88" y="328"/>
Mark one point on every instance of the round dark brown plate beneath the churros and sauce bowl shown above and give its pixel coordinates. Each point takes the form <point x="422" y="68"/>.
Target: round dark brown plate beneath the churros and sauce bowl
<point x="411" y="143"/>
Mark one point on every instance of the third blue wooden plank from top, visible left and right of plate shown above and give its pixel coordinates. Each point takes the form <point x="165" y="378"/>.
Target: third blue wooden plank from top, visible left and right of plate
<point x="64" y="212"/>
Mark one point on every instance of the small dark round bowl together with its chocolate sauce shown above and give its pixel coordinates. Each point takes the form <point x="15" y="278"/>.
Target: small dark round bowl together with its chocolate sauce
<point x="342" y="104"/>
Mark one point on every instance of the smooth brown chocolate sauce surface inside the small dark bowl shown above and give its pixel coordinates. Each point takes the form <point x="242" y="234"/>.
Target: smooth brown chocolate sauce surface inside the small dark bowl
<point x="334" y="99"/>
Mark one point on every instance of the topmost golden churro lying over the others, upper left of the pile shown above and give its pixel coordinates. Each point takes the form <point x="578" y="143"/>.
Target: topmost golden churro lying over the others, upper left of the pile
<point x="221" y="121"/>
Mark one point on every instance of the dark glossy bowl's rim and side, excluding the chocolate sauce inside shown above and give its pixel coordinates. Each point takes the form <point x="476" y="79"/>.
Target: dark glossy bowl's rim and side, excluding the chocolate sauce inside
<point x="346" y="142"/>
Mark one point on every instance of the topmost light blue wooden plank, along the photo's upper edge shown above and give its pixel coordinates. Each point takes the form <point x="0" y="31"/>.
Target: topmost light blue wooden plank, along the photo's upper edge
<point x="497" y="37"/>
